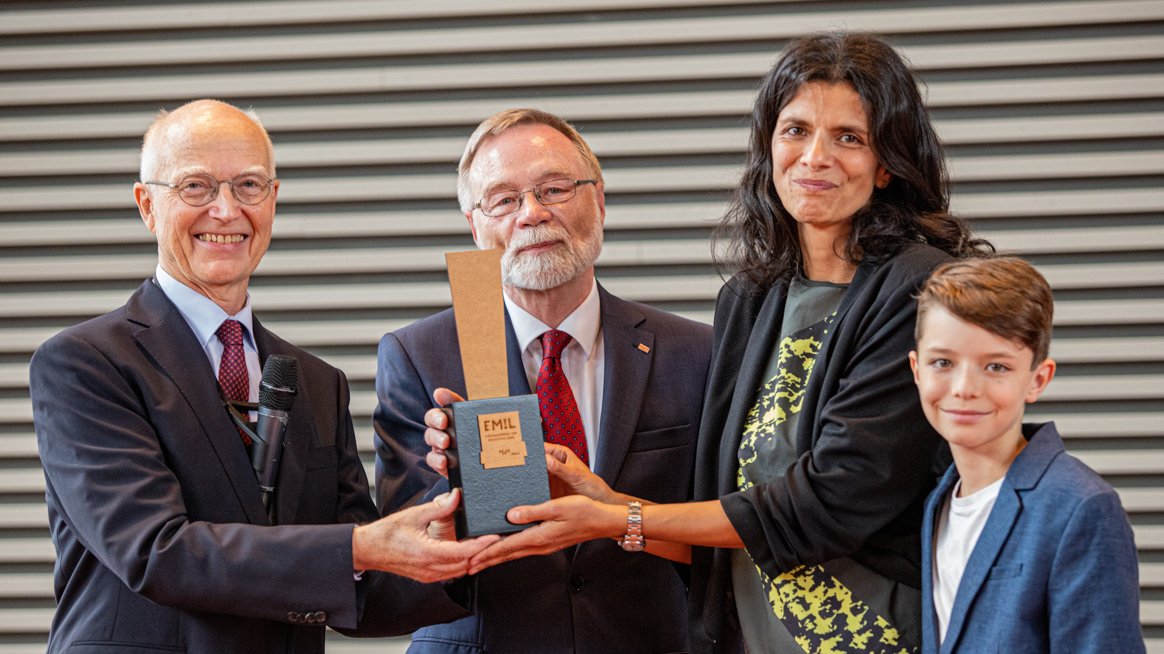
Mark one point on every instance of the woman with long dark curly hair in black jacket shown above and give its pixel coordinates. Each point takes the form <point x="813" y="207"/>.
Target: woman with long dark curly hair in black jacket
<point x="814" y="456"/>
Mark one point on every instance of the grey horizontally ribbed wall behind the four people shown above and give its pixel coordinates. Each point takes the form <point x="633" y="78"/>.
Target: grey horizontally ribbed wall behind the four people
<point x="1053" y="112"/>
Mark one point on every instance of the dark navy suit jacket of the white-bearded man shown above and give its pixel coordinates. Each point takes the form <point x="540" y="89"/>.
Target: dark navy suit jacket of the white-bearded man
<point x="599" y="600"/>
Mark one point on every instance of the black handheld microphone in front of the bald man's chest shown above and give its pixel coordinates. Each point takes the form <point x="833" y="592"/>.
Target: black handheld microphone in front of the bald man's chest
<point x="276" y="394"/>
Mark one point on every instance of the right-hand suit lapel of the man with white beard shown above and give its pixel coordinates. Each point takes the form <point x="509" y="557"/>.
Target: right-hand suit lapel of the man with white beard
<point x="624" y="381"/>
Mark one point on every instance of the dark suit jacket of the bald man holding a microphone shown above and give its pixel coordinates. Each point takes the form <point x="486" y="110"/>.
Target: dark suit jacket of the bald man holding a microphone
<point x="162" y="542"/>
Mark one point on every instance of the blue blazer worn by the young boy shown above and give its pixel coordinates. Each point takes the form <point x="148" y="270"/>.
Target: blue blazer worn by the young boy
<point x="1055" y="570"/>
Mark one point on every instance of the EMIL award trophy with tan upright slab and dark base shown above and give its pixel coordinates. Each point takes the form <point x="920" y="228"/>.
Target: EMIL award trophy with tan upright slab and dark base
<point x="496" y="458"/>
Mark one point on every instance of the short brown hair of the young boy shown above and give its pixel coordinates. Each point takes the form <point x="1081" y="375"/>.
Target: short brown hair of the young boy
<point x="1005" y="296"/>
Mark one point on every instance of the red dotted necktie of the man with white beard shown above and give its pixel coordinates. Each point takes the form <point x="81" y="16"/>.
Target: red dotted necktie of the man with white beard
<point x="560" y="418"/>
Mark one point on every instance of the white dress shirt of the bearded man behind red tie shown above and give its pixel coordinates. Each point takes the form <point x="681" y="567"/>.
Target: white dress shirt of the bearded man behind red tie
<point x="584" y="360"/>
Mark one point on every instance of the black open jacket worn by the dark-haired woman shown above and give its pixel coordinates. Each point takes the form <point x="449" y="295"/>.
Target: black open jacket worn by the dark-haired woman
<point x="868" y="456"/>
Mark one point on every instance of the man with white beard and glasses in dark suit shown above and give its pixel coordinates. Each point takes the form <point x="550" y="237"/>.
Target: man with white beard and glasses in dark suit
<point x="634" y="387"/>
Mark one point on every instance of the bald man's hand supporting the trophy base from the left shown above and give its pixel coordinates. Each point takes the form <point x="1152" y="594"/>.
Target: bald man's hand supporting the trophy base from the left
<point x="403" y="543"/>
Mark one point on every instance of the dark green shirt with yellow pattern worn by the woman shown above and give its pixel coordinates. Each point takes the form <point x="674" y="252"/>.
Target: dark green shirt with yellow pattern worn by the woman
<point x="810" y="608"/>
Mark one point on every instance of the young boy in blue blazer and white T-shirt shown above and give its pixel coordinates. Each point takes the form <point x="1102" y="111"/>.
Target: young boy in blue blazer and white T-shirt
<point x="1024" y="548"/>
